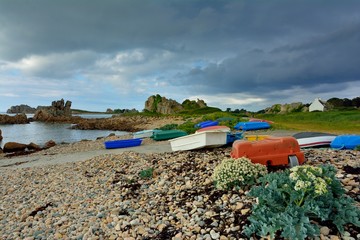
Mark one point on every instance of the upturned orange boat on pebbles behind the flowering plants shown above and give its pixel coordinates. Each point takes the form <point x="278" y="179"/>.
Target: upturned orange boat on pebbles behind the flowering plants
<point x="273" y="151"/>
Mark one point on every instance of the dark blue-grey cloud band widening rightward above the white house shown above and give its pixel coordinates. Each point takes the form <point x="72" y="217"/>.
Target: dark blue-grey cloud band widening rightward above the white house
<point x="328" y="58"/>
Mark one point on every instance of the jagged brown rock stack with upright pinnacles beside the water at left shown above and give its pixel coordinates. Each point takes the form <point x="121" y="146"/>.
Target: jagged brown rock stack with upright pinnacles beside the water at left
<point x="59" y="111"/>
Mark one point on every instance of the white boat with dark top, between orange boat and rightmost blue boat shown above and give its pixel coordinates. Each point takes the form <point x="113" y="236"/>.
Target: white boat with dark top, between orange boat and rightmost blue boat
<point x="314" y="139"/>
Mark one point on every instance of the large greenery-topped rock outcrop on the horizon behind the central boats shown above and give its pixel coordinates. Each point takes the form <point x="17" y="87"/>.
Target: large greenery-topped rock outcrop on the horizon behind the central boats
<point x="162" y="105"/>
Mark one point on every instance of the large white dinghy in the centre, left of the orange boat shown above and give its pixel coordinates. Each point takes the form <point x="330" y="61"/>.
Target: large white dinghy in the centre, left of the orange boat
<point x="206" y="139"/>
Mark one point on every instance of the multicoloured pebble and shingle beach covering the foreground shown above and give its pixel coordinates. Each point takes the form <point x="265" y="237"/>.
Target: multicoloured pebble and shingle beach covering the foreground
<point x="106" y="197"/>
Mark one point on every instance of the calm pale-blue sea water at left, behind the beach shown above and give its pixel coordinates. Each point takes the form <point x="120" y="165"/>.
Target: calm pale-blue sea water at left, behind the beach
<point x="39" y="132"/>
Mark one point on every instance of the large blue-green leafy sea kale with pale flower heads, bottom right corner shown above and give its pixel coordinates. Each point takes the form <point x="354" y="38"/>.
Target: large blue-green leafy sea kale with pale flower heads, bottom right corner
<point x="293" y="202"/>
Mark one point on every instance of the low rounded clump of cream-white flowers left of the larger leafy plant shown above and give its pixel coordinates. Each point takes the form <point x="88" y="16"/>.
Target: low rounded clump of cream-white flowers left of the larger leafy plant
<point x="237" y="173"/>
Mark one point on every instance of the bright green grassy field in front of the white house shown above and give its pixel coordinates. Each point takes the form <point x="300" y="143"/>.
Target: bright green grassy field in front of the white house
<point x="339" y="122"/>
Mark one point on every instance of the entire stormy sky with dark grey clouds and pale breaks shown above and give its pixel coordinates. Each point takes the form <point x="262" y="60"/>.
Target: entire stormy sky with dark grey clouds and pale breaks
<point x="232" y="54"/>
